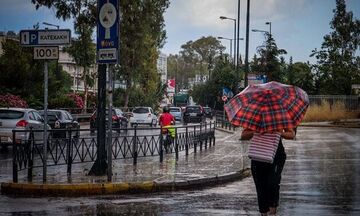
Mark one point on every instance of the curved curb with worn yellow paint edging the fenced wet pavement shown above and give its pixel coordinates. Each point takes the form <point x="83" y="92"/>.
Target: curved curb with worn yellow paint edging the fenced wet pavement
<point x="85" y="189"/>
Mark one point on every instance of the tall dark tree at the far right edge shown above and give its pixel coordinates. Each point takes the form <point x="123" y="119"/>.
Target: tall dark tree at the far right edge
<point x="338" y="60"/>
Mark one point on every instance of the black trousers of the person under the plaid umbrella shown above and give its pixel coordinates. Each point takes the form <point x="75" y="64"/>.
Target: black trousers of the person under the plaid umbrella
<point x="267" y="179"/>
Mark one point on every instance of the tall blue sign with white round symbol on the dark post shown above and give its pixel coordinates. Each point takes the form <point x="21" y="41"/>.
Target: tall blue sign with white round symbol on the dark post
<point x="108" y="31"/>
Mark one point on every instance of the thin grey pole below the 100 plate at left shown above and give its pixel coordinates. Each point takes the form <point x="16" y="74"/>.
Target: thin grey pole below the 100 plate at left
<point x="45" y="118"/>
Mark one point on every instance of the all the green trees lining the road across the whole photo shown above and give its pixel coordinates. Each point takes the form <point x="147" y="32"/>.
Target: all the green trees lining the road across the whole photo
<point x="142" y="35"/>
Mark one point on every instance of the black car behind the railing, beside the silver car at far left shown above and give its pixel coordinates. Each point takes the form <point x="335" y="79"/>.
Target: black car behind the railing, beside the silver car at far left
<point x="61" y="119"/>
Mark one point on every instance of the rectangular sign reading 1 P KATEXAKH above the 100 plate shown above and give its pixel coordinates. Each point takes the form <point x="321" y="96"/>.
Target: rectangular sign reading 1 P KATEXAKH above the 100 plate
<point x="45" y="37"/>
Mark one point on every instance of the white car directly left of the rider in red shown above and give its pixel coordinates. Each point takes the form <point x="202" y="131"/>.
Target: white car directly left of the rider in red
<point x="143" y="115"/>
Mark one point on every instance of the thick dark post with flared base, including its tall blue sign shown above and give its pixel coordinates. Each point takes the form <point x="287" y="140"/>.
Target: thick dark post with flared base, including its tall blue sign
<point x="107" y="53"/>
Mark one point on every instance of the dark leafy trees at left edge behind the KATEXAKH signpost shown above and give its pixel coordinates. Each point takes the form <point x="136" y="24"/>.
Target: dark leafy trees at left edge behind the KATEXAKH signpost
<point x="23" y="76"/>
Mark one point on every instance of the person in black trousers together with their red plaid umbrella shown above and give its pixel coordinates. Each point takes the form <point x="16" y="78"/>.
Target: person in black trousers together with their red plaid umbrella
<point x="267" y="112"/>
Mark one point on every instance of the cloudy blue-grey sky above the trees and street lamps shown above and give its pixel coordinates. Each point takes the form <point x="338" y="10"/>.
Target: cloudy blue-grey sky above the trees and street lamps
<point x="298" y="26"/>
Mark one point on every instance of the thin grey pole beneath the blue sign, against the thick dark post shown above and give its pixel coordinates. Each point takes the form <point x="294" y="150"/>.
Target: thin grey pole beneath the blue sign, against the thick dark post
<point x="110" y="113"/>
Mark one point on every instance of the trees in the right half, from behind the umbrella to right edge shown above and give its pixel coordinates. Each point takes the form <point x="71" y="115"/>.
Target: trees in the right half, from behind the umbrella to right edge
<point x="337" y="67"/>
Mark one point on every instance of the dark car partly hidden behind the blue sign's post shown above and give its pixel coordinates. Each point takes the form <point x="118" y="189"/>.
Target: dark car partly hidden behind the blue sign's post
<point x="119" y="120"/>
